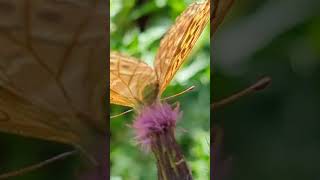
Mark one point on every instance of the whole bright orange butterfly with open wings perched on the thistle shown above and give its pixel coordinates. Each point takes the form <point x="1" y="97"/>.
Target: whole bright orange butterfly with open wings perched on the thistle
<point x="133" y="83"/>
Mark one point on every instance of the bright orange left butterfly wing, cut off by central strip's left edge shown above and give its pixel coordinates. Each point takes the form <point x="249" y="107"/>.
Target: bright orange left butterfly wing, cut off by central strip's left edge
<point x="128" y="79"/>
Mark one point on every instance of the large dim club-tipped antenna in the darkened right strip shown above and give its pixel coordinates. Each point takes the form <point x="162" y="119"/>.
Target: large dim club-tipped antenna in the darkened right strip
<point x="258" y="86"/>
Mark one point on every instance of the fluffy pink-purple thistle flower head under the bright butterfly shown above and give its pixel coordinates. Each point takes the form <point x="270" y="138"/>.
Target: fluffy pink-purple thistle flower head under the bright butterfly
<point x="154" y="119"/>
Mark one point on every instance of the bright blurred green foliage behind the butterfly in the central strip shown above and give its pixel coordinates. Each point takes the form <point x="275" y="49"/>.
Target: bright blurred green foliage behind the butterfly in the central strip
<point x="136" y="30"/>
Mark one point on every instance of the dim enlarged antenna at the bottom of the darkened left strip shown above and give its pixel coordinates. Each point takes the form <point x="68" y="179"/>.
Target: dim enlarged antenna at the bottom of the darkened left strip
<point x="38" y="165"/>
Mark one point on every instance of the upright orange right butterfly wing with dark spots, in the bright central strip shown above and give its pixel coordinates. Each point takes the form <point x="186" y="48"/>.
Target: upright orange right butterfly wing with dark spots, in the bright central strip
<point x="179" y="41"/>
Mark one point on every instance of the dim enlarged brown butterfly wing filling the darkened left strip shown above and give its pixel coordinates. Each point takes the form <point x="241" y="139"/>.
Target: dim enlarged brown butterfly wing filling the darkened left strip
<point x="52" y="73"/>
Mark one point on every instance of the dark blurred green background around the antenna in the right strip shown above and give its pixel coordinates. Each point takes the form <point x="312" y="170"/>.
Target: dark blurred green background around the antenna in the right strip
<point x="274" y="134"/>
